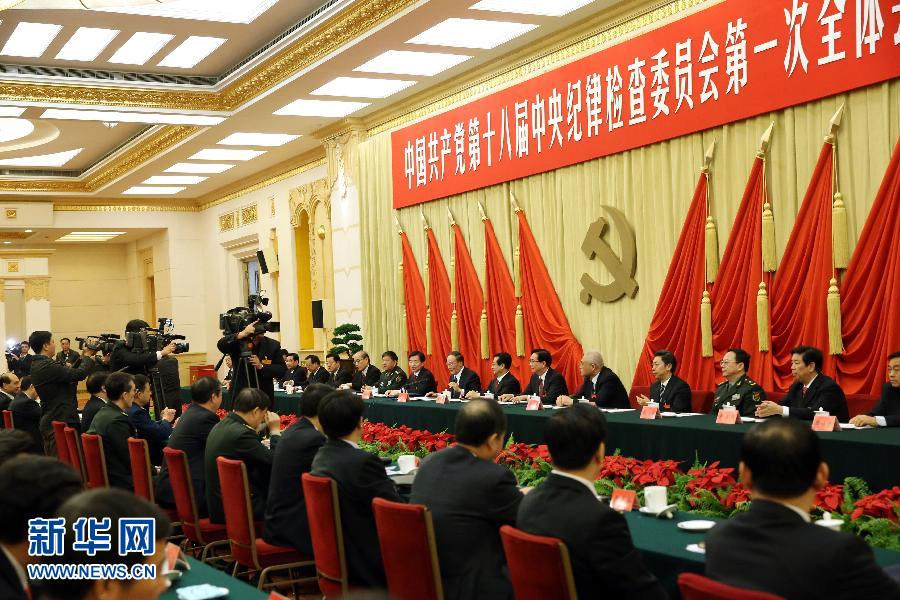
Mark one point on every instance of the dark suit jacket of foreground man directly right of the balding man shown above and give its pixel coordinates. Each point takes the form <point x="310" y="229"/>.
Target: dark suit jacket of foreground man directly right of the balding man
<point x="605" y="563"/>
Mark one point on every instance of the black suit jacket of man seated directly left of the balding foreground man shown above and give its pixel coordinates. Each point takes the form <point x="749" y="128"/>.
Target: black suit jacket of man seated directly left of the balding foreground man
<point x="360" y="478"/>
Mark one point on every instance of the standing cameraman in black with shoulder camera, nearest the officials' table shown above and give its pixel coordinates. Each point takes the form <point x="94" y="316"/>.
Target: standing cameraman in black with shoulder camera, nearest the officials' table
<point x="265" y="357"/>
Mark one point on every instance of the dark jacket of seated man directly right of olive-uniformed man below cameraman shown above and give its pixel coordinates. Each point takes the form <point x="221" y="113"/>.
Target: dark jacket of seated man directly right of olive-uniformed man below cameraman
<point x="286" y="523"/>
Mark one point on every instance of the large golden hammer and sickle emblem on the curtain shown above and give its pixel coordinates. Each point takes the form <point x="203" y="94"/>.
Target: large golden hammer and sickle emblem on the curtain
<point x="622" y="269"/>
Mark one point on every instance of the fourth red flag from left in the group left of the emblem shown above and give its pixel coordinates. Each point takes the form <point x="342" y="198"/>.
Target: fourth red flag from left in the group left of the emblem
<point x="501" y="304"/>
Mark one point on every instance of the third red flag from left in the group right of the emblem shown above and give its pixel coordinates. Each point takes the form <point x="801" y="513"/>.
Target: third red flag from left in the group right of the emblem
<point x="799" y="291"/>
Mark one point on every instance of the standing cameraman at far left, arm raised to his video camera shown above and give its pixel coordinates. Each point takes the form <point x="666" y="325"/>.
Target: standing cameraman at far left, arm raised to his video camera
<point x="53" y="383"/>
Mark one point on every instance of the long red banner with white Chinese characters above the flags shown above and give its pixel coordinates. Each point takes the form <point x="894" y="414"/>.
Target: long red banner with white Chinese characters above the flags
<point x="728" y="62"/>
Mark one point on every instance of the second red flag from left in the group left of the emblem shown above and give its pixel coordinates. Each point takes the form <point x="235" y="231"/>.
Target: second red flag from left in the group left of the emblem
<point x="441" y="310"/>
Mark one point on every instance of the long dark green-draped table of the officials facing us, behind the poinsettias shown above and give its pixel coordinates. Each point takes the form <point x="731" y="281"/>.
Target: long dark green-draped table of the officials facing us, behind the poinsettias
<point x="870" y="453"/>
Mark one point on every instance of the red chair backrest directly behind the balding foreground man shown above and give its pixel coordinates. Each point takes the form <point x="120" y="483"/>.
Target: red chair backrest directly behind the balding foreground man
<point x="408" y="549"/>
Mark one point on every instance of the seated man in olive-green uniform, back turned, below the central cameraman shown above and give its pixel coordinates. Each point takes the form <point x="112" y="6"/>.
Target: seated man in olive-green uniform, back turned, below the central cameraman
<point x="235" y="437"/>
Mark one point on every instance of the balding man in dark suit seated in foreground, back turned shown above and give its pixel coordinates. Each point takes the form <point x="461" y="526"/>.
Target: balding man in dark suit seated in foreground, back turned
<point x="470" y="497"/>
